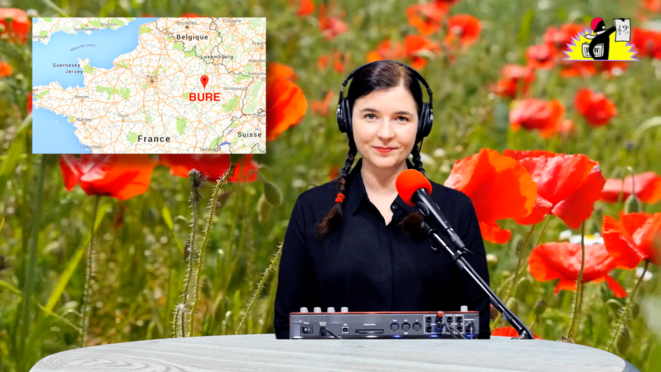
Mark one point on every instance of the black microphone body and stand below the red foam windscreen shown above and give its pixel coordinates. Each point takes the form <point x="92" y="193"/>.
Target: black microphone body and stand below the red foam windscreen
<point x="457" y="256"/>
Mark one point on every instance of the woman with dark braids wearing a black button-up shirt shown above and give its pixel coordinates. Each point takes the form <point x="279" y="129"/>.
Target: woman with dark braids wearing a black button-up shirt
<point x="353" y="242"/>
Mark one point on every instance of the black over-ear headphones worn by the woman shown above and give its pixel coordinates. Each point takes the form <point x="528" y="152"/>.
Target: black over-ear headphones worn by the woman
<point x="426" y="114"/>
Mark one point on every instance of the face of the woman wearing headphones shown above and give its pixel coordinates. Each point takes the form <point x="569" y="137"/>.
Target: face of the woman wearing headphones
<point x="384" y="124"/>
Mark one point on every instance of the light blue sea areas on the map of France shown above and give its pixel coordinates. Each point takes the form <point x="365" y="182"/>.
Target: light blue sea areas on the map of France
<point x="49" y="137"/>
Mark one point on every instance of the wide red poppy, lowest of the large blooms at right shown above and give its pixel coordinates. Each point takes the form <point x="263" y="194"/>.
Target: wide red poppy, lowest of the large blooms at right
<point x="551" y="261"/>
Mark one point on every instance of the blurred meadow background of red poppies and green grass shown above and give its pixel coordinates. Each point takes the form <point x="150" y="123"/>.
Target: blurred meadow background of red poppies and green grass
<point x="561" y="160"/>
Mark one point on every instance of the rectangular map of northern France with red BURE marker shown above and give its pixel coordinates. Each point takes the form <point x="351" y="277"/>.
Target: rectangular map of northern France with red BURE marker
<point x="149" y="85"/>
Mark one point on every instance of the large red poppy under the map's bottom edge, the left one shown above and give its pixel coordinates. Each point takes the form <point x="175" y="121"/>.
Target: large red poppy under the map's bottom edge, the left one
<point x="118" y="176"/>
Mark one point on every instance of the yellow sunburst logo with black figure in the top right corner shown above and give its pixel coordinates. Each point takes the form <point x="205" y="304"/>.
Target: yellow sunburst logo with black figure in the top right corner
<point x="601" y="43"/>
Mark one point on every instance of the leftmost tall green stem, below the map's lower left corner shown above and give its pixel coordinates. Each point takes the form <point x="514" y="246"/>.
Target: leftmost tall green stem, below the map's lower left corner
<point x="32" y="261"/>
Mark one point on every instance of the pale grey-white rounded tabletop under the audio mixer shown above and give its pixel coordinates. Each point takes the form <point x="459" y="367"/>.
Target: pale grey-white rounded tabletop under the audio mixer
<point x="265" y="353"/>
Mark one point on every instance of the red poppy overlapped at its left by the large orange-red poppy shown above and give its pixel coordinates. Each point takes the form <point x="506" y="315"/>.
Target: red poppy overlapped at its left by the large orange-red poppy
<point x="567" y="186"/>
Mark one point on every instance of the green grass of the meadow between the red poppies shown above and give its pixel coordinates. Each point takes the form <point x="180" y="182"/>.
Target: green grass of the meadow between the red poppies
<point x="140" y="243"/>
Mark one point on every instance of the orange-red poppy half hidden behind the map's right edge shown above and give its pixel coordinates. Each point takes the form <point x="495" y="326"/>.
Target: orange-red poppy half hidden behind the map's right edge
<point x="285" y="105"/>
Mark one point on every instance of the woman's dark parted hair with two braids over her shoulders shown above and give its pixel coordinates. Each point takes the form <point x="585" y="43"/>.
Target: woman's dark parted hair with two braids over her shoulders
<point x="376" y="76"/>
